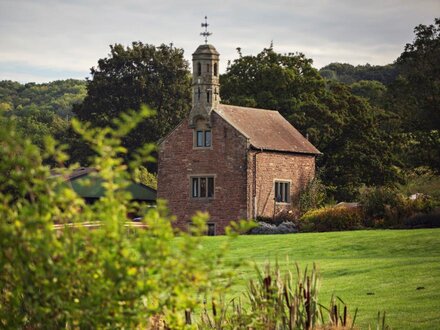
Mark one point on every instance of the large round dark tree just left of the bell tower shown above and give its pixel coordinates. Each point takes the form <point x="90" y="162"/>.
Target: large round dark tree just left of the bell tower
<point x="136" y="75"/>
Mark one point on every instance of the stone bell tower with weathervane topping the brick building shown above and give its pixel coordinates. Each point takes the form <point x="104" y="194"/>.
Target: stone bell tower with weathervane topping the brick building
<point x="205" y="81"/>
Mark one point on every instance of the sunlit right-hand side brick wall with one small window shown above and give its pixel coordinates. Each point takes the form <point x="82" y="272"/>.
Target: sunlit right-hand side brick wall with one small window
<point x="270" y="166"/>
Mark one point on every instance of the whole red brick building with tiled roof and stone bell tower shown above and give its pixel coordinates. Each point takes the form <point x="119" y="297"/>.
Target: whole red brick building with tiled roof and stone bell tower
<point x="233" y="162"/>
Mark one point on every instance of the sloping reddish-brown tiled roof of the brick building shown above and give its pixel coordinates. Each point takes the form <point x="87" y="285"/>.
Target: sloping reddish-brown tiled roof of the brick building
<point x="266" y="129"/>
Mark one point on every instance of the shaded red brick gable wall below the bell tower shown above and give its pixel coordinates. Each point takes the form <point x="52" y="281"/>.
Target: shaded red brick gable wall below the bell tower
<point x="178" y="160"/>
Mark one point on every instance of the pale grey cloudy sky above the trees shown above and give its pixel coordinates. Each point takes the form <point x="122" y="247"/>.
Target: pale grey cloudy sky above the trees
<point x="46" y="40"/>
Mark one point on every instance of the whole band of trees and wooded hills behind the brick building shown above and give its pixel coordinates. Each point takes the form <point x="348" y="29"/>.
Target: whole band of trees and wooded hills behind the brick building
<point x="373" y="124"/>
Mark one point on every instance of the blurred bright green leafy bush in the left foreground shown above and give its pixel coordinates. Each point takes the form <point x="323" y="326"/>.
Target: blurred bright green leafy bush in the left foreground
<point x="80" y="278"/>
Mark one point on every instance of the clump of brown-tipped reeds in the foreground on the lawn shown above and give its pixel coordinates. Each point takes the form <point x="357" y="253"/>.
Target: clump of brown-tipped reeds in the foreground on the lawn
<point x="277" y="301"/>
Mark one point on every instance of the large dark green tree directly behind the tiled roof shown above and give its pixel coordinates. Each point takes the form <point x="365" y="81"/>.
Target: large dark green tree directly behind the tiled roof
<point x="343" y="126"/>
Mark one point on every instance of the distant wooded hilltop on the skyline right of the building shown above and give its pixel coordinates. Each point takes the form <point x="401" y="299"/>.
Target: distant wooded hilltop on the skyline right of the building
<point x="349" y="74"/>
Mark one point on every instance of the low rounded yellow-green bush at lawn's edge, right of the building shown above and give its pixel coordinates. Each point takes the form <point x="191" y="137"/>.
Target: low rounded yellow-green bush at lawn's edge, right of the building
<point x="332" y="219"/>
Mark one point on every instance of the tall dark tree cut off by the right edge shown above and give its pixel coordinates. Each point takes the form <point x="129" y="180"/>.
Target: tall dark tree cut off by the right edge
<point x="415" y="97"/>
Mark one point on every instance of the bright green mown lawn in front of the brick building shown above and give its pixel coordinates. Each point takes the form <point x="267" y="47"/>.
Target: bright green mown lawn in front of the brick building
<point x="399" y="269"/>
